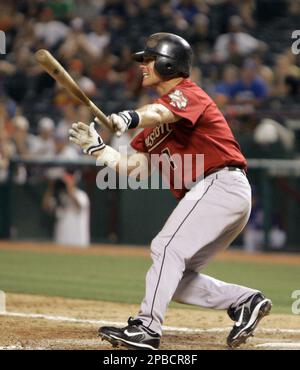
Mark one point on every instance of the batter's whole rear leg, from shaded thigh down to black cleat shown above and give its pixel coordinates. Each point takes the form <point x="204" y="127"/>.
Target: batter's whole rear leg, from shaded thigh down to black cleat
<point x="244" y="305"/>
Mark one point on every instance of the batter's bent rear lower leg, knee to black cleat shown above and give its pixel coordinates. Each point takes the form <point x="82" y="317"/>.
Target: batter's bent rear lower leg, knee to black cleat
<point x="245" y="306"/>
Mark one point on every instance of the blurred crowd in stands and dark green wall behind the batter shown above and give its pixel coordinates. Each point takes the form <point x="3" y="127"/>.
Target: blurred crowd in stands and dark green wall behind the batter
<point x="243" y="59"/>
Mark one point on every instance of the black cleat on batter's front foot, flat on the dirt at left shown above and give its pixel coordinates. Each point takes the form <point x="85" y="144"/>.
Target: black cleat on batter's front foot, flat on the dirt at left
<point x="134" y="336"/>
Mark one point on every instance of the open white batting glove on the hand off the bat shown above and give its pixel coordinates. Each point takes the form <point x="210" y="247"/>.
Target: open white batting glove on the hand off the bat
<point x="86" y="137"/>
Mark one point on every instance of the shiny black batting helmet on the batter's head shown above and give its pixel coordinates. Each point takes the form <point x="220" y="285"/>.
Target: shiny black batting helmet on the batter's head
<point x="173" y="54"/>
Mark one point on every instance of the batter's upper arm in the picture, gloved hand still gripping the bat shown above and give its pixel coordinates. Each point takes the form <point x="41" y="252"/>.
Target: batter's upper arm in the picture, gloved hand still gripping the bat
<point x="149" y="115"/>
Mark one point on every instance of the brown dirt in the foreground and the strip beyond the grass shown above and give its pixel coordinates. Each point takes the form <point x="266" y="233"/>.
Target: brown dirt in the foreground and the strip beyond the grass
<point x="37" y="322"/>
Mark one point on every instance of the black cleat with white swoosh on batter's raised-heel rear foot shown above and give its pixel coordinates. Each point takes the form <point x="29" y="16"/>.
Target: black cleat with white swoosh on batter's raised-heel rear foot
<point x="246" y="316"/>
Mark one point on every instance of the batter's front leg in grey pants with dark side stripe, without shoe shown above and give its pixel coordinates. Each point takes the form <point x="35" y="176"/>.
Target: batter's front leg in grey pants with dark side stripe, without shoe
<point x="194" y="225"/>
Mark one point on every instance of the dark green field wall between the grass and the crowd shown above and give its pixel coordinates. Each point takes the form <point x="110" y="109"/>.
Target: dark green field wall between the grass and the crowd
<point x="135" y="216"/>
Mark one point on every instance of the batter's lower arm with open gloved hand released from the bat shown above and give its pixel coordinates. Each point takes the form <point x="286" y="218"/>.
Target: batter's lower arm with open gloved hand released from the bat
<point x="91" y="143"/>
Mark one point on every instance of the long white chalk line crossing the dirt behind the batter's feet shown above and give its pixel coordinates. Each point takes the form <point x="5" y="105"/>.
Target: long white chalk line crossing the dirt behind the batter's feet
<point x="165" y="328"/>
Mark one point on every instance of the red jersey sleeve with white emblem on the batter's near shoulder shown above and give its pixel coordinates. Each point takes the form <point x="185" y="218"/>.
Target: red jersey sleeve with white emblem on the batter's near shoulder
<point x="187" y="103"/>
